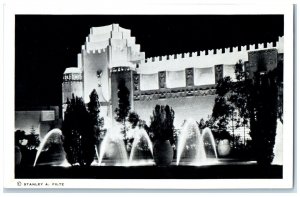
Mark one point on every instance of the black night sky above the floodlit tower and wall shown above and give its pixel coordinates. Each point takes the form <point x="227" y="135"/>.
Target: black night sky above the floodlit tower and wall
<point x="47" y="44"/>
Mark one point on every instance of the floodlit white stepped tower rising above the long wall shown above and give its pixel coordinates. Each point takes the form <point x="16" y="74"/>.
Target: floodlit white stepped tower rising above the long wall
<point x="109" y="55"/>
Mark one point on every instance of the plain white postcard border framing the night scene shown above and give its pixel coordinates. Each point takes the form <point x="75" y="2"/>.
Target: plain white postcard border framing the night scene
<point x="10" y="10"/>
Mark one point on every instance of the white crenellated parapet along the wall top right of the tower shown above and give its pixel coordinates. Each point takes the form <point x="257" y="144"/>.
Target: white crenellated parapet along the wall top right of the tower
<point x="204" y="58"/>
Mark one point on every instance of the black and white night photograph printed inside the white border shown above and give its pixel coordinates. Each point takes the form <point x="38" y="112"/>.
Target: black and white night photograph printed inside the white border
<point x="149" y="97"/>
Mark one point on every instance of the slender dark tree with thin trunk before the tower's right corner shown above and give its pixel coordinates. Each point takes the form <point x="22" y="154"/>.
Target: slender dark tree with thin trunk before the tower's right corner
<point x="124" y="105"/>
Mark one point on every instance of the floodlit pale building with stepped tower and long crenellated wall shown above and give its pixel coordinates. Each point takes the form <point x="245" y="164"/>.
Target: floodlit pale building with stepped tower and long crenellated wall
<point x="186" y="82"/>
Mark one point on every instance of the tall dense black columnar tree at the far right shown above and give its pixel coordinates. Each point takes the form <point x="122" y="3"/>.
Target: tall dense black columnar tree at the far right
<point x="263" y="119"/>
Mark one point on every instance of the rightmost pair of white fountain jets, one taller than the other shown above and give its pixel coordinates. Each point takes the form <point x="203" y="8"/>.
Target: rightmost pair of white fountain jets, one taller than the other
<point x="192" y="145"/>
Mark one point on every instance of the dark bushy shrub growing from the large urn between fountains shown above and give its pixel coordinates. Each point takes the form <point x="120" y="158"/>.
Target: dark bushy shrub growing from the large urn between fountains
<point x="162" y="123"/>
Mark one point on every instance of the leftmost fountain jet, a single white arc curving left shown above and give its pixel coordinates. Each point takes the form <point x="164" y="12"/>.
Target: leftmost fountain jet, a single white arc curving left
<point x="54" y="136"/>
